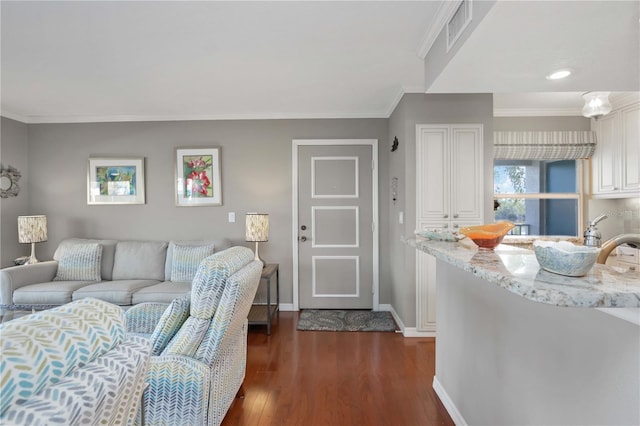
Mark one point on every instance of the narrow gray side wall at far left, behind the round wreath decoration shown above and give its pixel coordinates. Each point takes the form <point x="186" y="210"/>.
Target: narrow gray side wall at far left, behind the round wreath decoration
<point x="14" y="151"/>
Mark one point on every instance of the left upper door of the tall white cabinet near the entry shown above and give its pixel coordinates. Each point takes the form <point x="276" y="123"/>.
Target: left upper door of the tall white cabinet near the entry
<point x="432" y="170"/>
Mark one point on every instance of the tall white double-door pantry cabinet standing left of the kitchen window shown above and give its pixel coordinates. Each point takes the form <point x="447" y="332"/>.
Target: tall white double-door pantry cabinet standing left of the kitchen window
<point x="449" y="173"/>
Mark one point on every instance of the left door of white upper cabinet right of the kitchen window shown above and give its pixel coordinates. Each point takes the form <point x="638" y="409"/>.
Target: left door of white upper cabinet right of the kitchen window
<point x="605" y="170"/>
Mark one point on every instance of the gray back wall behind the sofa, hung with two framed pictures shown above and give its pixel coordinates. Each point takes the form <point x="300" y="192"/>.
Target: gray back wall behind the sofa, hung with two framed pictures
<point x="256" y="176"/>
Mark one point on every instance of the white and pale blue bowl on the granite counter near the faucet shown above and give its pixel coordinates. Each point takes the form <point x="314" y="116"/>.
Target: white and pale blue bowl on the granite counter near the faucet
<point x="565" y="258"/>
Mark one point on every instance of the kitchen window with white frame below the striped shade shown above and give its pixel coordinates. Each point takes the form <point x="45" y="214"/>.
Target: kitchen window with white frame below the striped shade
<point x="542" y="197"/>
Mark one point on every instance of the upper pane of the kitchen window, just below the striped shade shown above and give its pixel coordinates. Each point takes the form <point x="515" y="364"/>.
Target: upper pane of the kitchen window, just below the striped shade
<point x="533" y="177"/>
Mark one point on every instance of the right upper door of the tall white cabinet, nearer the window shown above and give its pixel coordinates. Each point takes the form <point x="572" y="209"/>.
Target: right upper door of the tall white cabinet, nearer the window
<point x="466" y="173"/>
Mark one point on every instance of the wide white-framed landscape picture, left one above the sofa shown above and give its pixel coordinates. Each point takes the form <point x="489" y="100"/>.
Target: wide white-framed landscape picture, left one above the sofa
<point x="115" y="181"/>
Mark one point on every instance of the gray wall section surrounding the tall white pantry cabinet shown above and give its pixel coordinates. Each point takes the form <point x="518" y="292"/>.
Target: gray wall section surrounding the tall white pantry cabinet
<point x="416" y="109"/>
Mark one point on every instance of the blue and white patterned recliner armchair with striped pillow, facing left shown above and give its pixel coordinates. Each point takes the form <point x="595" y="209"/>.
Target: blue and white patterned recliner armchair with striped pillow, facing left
<point x="199" y="342"/>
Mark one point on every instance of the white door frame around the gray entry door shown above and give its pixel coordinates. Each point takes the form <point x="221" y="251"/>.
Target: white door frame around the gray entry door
<point x="374" y="200"/>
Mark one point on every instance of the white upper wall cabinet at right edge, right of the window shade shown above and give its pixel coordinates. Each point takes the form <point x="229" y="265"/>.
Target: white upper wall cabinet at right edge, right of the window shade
<point x="616" y="161"/>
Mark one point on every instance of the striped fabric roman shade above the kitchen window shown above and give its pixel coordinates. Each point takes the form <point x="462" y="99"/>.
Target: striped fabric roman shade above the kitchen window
<point x="543" y="145"/>
